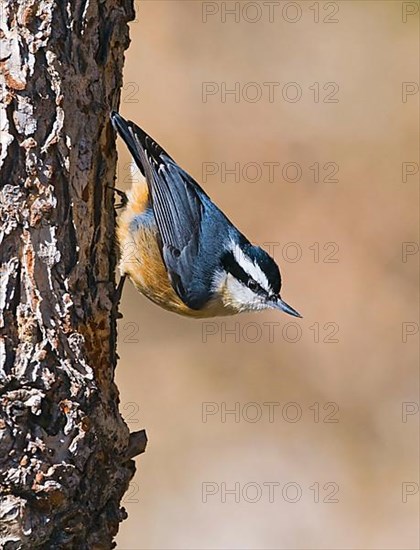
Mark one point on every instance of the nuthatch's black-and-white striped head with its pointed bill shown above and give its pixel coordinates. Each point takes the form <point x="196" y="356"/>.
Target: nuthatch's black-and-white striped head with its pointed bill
<point x="250" y="280"/>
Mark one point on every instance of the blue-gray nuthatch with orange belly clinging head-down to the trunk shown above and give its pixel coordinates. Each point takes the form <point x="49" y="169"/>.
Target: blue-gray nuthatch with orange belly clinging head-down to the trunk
<point x="179" y="249"/>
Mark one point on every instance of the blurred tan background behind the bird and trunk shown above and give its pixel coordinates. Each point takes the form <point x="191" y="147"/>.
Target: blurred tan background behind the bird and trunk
<point x="333" y="462"/>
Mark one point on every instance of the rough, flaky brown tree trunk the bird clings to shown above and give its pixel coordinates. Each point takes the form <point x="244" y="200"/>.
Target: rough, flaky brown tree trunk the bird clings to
<point x="64" y="448"/>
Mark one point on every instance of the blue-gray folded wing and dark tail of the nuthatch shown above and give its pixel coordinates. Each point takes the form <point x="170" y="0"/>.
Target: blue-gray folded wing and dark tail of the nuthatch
<point x="178" y="208"/>
